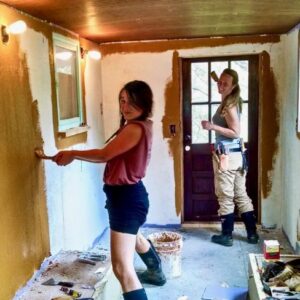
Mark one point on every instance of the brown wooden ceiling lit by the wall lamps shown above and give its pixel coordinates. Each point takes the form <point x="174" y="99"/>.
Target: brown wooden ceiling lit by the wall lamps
<point x="104" y="21"/>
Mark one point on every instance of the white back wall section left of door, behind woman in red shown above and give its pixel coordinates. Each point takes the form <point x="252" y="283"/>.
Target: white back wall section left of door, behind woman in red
<point x="156" y="70"/>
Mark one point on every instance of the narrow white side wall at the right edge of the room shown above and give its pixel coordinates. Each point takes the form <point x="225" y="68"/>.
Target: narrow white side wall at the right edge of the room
<point x="290" y="141"/>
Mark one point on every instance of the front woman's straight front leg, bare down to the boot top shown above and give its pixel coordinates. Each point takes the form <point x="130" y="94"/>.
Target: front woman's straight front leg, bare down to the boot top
<point x="122" y="254"/>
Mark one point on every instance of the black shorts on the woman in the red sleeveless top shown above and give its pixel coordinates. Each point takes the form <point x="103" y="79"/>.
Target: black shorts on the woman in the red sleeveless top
<point x="127" y="206"/>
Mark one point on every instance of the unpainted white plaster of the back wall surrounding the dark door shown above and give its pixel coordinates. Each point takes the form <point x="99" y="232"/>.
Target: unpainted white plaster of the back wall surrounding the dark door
<point x="156" y="69"/>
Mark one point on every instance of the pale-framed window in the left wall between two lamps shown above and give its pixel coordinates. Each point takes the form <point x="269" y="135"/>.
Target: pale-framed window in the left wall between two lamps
<point x="67" y="82"/>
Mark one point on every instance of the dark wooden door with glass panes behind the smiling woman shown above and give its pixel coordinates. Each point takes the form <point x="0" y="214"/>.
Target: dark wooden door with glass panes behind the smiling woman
<point x="200" y="101"/>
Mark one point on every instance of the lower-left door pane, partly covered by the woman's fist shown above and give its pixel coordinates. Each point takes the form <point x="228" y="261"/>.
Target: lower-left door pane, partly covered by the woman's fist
<point x="199" y="113"/>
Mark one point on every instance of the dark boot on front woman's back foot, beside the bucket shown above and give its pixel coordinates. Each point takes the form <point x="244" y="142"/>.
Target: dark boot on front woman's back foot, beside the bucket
<point x="154" y="274"/>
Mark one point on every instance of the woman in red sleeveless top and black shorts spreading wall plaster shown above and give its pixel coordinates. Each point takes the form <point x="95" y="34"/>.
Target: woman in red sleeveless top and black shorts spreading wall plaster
<point x="127" y="154"/>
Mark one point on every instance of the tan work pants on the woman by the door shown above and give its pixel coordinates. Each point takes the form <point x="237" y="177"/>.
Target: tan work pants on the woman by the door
<point x="230" y="186"/>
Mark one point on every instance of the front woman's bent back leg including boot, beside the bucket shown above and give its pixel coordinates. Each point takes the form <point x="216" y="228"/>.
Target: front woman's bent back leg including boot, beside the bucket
<point x="146" y="251"/>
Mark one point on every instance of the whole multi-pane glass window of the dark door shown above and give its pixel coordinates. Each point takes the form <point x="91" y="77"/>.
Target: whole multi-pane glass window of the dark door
<point x="206" y="99"/>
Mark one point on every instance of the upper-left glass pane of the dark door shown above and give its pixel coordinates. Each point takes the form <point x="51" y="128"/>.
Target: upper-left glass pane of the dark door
<point x="199" y="82"/>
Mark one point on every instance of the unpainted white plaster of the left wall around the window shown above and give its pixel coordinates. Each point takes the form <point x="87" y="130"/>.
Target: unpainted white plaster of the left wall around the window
<point x="74" y="194"/>
